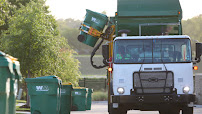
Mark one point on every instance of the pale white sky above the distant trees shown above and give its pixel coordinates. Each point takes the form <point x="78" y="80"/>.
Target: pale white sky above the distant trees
<point x="76" y="9"/>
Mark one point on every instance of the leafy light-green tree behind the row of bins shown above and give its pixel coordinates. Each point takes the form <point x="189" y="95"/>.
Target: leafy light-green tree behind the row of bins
<point x="33" y="38"/>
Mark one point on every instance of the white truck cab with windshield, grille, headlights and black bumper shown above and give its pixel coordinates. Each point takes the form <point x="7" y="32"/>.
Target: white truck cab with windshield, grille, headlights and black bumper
<point x="153" y="73"/>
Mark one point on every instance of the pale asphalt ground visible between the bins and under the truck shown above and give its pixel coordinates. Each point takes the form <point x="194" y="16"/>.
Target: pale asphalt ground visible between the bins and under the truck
<point x="100" y="107"/>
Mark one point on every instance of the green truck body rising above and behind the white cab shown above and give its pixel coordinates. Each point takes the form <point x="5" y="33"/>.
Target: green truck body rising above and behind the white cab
<point x="149" y="17"/>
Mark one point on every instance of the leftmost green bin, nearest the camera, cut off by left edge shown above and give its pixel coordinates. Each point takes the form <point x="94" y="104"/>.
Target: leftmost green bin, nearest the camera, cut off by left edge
<point x="6" y="73"/>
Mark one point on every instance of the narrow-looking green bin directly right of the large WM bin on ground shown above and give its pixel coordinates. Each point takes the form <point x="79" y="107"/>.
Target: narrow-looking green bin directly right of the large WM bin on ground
<point x="66" y="102"/>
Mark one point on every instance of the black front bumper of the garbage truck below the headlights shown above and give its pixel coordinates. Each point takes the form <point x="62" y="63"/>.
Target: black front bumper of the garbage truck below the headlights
<point x="154" y="98"/>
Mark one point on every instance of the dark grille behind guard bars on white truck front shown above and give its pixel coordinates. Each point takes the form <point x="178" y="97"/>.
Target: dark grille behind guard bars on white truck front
<point x="153" y="82"/>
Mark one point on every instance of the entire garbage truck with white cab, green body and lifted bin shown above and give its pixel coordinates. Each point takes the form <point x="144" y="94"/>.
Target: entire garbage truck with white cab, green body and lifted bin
<point x="149" y="60"/>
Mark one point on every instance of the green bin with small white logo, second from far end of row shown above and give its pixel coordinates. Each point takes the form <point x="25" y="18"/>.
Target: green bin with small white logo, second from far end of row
<point x="79" y="97"/>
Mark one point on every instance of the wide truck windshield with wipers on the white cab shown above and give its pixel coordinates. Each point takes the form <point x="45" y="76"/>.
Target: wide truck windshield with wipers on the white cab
<point x="152" y="51"/>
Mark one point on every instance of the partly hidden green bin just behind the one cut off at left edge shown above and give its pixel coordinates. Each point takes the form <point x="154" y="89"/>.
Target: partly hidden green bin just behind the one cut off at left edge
<point x="14" y="82"/>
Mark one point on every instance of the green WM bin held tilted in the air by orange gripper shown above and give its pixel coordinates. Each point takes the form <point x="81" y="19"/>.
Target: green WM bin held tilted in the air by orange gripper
<point x="96" y="21"/>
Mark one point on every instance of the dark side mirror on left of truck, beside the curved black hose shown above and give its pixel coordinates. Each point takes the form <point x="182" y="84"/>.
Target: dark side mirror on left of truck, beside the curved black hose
<point x="105" y="53"/>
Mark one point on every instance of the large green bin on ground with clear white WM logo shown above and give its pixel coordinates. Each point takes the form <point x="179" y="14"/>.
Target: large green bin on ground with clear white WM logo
<point x="44" y="94"/>
